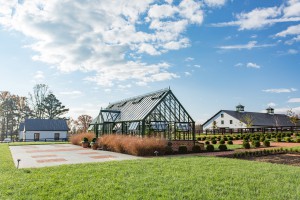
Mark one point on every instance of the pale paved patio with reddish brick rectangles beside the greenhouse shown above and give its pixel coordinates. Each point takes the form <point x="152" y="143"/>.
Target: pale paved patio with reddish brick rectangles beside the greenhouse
<point x="34" y="156"/>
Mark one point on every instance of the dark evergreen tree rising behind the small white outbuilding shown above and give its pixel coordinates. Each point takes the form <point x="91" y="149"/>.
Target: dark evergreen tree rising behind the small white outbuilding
<point x="52" y="108"/>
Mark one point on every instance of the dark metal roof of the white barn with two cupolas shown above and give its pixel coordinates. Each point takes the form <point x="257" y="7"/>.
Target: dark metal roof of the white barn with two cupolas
<point x="259" y="119"/>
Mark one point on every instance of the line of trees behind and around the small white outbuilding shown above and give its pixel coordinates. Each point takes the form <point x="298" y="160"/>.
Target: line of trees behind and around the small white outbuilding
<point x="40" y="104"/>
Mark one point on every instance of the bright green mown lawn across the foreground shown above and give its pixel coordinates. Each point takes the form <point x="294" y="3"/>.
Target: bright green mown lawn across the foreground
<point x="156" y="178"/>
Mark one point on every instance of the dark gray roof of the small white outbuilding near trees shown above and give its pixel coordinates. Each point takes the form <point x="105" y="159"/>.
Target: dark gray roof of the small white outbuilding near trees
<point x="45" y="125"/>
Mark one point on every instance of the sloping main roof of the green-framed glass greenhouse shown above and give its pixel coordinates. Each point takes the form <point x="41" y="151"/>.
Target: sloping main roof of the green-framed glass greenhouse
<point x="137" y="108"/>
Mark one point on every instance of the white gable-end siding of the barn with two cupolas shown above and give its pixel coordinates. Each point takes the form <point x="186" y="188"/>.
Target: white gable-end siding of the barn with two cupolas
<point x="226" y="118"/>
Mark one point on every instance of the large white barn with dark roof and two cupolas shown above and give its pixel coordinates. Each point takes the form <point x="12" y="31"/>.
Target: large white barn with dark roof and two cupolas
<point x="239" y="119"/>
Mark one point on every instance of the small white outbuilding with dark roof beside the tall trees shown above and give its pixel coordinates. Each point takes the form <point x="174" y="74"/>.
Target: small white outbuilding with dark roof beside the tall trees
<point x="43" y="130"/>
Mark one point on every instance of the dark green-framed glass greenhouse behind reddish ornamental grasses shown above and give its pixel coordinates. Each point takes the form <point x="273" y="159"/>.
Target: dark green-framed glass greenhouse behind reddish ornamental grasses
<point x="155" y="114"/>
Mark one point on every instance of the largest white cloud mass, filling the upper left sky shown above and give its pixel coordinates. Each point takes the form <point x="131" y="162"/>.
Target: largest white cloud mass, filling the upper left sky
<point x="102" y="36"/>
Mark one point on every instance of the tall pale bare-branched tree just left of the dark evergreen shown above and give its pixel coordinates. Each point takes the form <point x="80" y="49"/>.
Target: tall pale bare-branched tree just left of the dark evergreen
<point x="40" y="92"/>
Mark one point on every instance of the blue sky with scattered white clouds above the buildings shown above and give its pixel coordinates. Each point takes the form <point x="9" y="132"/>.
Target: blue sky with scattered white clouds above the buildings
<point x="214" y="54"/>
